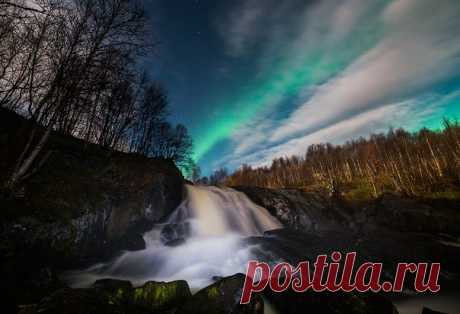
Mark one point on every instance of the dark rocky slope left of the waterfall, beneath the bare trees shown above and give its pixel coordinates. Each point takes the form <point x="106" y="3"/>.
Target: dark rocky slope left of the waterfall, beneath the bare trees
<point x="85" y="204"/>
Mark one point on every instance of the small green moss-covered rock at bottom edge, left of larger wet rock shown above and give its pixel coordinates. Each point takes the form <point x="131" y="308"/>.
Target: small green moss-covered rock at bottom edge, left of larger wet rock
<point x="159" y="296"/>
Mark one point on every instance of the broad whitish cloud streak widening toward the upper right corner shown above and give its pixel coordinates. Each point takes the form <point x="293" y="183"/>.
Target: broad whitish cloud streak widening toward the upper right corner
<point x="421" y="48"/>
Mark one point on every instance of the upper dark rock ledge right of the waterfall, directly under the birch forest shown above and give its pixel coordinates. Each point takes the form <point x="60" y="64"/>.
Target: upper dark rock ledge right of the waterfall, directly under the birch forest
<point x="317" y="211"/>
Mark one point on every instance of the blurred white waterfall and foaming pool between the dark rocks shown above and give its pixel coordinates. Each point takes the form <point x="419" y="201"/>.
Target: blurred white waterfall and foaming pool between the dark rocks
<point x="211" y="222"/>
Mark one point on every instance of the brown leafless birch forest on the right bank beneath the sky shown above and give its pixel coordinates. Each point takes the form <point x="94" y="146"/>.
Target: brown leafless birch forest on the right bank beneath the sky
<point x="409" y="163"/>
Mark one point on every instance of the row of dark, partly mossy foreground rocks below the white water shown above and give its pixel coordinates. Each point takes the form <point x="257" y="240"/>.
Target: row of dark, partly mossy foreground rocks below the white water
<point x="113" y="296"/>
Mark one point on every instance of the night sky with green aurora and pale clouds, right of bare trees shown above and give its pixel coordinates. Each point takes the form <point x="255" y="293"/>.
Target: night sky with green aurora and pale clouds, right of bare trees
<point x="256" y="80"/>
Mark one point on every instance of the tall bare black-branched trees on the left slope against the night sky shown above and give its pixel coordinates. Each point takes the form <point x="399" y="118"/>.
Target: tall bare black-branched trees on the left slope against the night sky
<point x="71" y="66"/>
